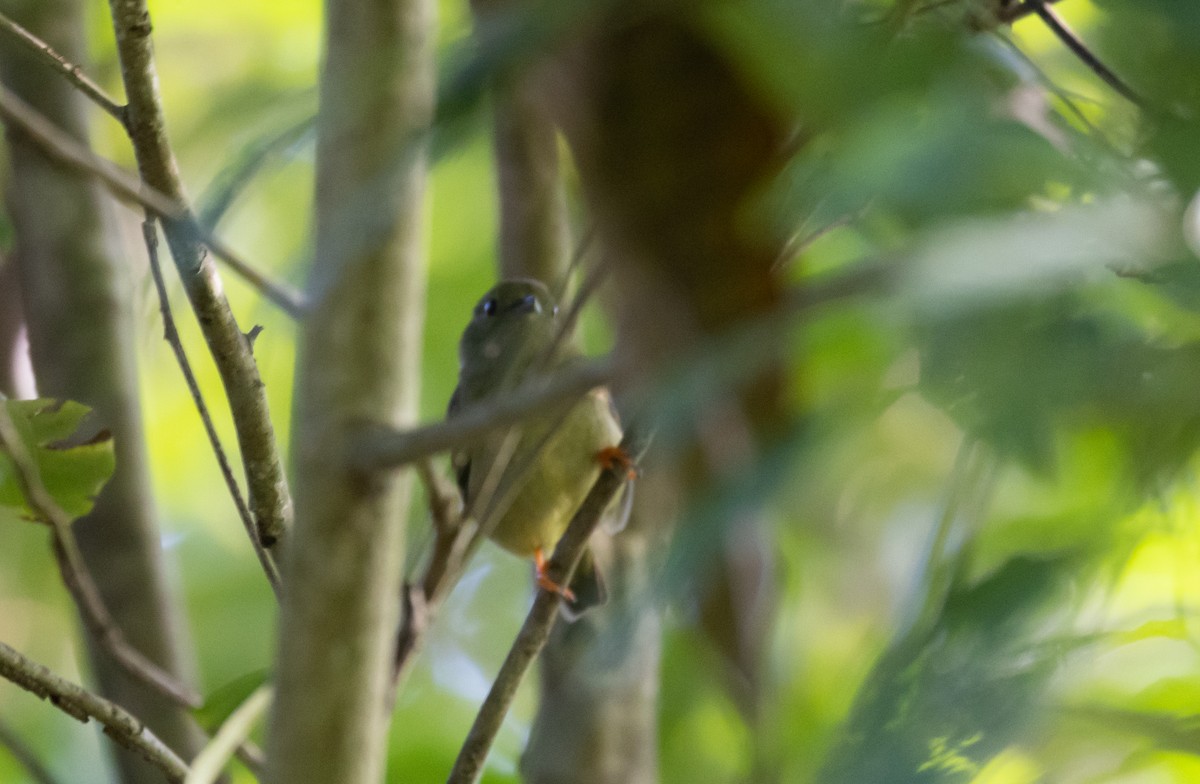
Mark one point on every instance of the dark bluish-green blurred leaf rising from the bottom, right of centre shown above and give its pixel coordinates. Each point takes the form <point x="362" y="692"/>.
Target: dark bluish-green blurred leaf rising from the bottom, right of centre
<point x="944" y="701"/>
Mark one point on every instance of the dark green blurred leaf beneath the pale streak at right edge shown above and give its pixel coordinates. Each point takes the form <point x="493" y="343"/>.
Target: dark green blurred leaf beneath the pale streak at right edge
<point x="1019" y="375"/>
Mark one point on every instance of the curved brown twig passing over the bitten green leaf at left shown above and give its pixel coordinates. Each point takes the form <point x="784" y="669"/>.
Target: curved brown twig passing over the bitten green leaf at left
<point x="77" y="577"/>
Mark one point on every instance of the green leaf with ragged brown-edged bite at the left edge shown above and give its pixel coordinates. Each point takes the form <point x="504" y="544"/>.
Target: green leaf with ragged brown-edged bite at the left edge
<point x="74" y="456"/>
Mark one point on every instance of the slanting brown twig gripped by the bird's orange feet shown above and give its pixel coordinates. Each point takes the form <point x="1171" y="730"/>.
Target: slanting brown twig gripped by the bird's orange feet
<point x="536" y="631"/>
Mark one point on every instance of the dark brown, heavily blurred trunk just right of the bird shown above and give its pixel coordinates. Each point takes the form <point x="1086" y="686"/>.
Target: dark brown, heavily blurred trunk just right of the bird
<point x="674" y="149"/>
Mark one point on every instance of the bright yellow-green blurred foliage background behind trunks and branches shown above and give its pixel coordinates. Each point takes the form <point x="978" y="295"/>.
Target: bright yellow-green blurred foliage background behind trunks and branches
<point x="987" y="534"/>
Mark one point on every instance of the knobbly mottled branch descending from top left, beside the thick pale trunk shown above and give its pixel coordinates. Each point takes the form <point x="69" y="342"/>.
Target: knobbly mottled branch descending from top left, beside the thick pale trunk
<point x="269" y="498"/>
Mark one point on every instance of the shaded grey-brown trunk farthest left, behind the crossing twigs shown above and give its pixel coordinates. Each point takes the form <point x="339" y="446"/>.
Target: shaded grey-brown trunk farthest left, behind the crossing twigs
<point x="79" y="307"/>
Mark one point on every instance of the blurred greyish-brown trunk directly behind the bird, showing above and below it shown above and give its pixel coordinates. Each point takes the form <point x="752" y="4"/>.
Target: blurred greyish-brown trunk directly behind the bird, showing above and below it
<point x="597" y="711"/>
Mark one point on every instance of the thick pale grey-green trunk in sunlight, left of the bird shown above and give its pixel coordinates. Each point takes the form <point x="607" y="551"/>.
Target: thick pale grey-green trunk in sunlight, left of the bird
<point x="359" y="366"/>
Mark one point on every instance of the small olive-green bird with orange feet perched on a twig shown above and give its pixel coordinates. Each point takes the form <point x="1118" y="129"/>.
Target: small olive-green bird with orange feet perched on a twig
<point x="511" y="338"/>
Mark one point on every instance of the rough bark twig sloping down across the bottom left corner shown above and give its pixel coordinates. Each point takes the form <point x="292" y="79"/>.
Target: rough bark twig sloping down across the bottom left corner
<point x="81" y="704"/>
